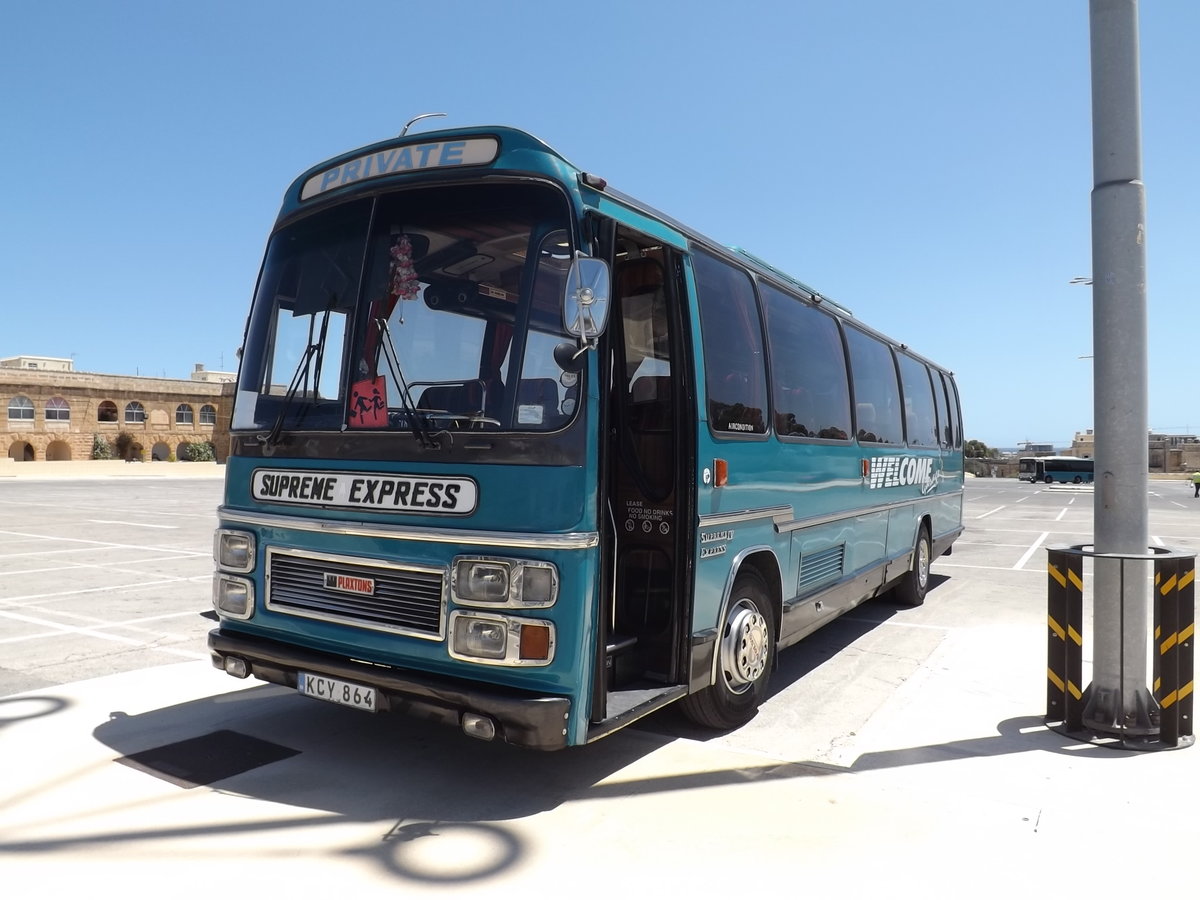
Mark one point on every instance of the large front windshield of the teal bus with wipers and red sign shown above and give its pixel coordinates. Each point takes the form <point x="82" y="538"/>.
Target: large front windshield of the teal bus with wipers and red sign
<point x="431" y="311"/>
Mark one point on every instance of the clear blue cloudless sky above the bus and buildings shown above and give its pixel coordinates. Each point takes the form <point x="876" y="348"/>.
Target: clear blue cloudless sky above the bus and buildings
<point x="928" y="164"/>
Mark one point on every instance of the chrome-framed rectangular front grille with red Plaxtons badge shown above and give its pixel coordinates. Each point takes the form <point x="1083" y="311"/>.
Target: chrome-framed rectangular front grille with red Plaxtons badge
<point x="357" y="592"/>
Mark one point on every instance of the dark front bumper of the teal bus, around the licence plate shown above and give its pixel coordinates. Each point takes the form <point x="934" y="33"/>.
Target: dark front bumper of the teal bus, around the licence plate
<point x="529" y="721"/>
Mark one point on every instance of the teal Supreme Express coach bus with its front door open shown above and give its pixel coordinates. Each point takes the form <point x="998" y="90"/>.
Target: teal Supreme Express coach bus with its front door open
<point x="515" y="453"/>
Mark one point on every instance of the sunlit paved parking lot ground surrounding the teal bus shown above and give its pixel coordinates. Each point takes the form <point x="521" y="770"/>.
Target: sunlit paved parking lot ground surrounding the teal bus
<point x="902" y="751"/>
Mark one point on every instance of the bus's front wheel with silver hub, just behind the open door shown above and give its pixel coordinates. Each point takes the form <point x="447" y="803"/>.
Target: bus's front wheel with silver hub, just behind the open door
<point x="746" y="655"/>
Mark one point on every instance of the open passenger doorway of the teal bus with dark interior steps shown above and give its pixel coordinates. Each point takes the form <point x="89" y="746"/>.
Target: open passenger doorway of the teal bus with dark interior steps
<point x="649" y="453"/>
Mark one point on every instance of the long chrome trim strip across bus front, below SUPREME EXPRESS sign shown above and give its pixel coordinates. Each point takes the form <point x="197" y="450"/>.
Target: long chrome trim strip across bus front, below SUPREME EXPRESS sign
<point x="521" y="541"/>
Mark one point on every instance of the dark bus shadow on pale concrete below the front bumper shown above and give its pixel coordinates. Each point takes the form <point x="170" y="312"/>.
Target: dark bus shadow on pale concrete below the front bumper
<point x="383" y="766"/>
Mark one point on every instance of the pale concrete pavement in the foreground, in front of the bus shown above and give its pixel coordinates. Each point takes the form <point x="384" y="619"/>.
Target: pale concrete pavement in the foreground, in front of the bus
<point x="955" y="788"/>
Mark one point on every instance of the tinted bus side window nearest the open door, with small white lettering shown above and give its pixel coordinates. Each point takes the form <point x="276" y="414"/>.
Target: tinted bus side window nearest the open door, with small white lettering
<point x="735" y="373"/>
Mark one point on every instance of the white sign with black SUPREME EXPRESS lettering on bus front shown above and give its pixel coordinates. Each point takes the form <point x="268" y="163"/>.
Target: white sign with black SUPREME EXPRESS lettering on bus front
<point x="356" y="490"/>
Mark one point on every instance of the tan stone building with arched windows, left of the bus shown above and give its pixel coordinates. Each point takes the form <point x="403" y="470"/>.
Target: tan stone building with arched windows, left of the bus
<point x="53" y="413"/>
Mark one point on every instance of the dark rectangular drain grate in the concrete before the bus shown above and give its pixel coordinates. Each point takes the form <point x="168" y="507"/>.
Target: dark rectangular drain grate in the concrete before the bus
<point x="208" y="759"/>
